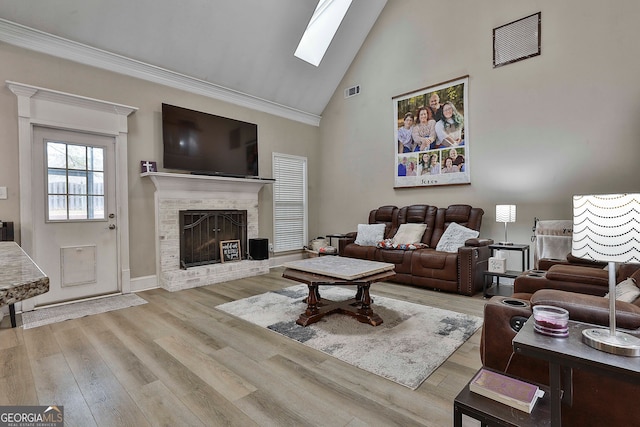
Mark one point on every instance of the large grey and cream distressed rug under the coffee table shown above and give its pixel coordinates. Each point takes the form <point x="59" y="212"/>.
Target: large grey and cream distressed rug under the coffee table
<point x="411" y="343"/>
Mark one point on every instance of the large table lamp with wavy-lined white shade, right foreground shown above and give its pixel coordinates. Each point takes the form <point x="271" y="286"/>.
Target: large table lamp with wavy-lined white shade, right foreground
<point x="607" y="228"/>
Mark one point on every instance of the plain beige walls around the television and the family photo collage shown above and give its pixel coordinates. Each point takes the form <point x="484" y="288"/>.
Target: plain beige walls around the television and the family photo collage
<point x="540" y="130"/>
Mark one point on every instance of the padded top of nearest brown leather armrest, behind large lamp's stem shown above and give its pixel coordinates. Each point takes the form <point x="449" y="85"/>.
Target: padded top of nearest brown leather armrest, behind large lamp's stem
<point x="589" y="308"/>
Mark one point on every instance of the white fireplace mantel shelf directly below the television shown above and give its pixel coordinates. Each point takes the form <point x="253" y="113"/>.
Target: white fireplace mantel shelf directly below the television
<point x="167" y="182"/>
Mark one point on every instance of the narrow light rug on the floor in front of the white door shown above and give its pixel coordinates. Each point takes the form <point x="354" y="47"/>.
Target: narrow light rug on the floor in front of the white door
<point x="46" y="316"/>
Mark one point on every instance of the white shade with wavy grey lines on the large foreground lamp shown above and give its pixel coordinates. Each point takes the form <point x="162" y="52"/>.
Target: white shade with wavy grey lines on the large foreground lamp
<point x="607" y="227"/>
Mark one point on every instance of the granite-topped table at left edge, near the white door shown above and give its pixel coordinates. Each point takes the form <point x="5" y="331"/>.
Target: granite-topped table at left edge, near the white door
<point x="20" y="277"/>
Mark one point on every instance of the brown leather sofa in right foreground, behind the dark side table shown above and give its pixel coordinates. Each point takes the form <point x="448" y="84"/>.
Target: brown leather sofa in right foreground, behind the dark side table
<point x="597" y="399"/>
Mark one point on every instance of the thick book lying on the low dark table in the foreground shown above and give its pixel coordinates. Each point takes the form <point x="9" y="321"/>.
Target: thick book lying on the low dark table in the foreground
<point x="508" y="390"/>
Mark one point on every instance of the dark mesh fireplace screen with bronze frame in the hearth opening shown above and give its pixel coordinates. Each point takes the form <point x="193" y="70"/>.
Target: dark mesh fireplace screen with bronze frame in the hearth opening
<point x="202" y="231"/>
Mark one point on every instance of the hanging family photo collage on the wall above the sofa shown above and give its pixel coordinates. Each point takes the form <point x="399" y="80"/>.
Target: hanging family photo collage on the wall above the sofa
<point x="433" y="149"/>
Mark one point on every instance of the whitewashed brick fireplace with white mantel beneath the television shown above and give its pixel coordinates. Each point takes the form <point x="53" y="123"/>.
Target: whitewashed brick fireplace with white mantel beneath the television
<point x="183" y="192"/>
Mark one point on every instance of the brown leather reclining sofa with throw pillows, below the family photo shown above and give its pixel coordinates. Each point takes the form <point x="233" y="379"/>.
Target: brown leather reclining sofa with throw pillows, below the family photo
<point x="459" y="272"/>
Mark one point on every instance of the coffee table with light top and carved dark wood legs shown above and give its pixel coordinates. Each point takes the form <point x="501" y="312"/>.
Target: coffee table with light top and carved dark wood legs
<point x="338" y="271"/>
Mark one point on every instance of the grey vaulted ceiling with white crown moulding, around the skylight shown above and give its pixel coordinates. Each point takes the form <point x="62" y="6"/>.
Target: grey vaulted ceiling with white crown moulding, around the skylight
<point x="235" y="50"/>
